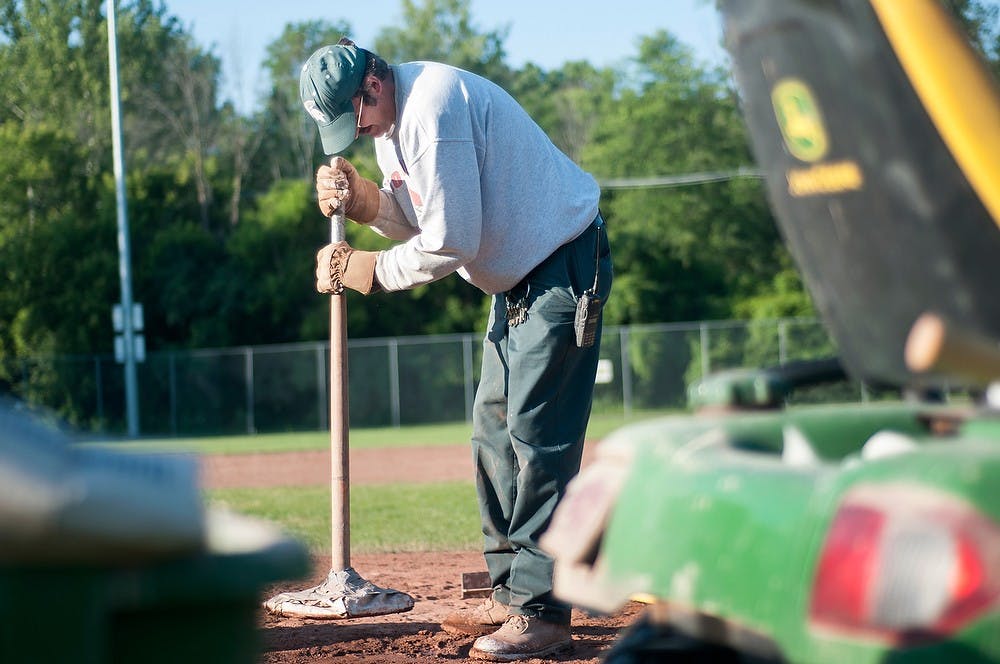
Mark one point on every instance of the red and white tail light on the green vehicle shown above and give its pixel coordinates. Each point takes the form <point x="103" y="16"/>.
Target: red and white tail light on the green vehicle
<point x="905" y="563"/>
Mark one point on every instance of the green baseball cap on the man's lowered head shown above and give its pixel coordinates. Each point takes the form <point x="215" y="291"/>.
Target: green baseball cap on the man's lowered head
<point x="329" y="79"/>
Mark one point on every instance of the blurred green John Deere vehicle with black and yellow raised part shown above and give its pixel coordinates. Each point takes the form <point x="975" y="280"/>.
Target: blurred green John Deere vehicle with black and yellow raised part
<point x="837" y="533"/>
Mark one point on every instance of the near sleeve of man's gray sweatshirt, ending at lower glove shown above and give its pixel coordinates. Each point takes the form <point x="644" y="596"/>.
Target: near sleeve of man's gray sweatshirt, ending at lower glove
<point x="445" y="190"/>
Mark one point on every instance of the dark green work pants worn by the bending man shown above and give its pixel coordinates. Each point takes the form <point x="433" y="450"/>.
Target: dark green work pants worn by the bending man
<point x="530" y="417"/>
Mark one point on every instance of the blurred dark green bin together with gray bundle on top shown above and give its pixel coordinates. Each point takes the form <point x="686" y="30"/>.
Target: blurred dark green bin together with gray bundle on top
<point x="119" y="548"/>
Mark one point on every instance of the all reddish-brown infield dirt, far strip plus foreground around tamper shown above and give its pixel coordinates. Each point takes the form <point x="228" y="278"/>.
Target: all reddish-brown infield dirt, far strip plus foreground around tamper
<point x="433" y="579"/>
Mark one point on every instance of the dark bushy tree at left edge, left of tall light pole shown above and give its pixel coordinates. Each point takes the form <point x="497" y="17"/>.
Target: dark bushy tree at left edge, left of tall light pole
<point x="57" y="280"/>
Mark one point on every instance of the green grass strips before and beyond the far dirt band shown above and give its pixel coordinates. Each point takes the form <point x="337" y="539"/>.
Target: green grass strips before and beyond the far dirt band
<point x="385" y="518"/>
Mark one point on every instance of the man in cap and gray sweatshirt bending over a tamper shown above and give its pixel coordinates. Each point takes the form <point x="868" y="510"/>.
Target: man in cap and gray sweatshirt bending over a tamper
<point x="472" y="185"/>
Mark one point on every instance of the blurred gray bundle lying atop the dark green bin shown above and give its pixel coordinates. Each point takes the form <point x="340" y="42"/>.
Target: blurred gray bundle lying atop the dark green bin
<point x="66" y="503"/>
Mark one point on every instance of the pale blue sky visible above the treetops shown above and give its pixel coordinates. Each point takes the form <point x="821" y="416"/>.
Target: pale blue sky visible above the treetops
<point x="547" y="33"/>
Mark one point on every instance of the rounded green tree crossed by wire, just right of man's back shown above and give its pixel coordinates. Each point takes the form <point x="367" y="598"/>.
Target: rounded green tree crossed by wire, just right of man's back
<point x="687" y="253"/>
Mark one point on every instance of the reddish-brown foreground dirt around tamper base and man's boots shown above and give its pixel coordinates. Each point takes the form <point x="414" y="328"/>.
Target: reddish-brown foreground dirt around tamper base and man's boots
<point x="415" y="637"/>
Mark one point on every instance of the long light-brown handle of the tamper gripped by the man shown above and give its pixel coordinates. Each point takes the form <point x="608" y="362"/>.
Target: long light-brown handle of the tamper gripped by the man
<point x="340" y="492"/>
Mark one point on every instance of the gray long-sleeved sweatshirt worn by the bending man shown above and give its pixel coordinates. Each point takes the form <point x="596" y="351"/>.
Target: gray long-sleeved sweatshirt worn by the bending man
<point x="480" y="188"/>
